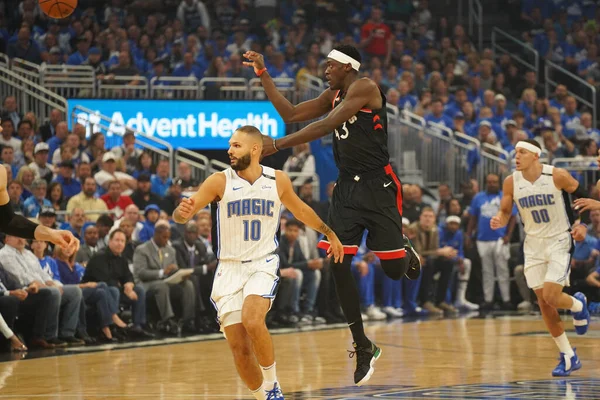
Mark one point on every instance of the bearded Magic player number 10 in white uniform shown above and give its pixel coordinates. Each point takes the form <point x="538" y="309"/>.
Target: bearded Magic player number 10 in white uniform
<point x="249" y="198"/>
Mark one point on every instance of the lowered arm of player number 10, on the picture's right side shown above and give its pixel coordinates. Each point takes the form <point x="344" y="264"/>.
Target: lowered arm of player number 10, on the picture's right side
<point x="307" y="215"/>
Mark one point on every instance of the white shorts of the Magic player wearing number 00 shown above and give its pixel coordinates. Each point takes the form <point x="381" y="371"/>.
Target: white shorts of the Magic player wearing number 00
<point x="548" y="260"/>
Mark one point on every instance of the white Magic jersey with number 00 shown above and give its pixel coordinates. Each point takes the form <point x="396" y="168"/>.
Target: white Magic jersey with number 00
<point x="544" y="209"/>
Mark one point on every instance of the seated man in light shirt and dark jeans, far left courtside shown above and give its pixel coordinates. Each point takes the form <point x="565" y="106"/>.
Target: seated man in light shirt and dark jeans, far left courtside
<point x="23" y="265"/>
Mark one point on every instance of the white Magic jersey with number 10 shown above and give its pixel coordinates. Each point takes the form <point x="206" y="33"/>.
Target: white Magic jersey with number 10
<point x="248" y="217"/>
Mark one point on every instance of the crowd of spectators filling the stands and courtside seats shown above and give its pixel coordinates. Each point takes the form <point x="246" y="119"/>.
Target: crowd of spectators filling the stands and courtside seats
<point x="118" y="202"/>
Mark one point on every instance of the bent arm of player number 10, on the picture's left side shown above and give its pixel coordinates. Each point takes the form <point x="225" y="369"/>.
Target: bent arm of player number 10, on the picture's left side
<point x="212" y="188"/>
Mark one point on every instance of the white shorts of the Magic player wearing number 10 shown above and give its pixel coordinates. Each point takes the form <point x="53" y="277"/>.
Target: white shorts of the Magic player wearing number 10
<point x="236" y="280"/>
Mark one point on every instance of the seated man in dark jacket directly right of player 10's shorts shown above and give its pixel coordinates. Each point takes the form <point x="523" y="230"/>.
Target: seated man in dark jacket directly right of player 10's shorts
<point x="290" y="255"/>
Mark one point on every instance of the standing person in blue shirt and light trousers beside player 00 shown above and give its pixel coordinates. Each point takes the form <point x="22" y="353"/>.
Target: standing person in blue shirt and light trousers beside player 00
<point x="492" y="245"/>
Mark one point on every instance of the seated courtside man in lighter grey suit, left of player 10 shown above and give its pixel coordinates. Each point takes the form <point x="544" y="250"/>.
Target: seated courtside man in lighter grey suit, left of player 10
<point x="154" y="261"/>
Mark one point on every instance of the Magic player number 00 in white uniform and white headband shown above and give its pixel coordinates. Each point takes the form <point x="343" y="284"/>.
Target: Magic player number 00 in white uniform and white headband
<point x="541" y="194"/>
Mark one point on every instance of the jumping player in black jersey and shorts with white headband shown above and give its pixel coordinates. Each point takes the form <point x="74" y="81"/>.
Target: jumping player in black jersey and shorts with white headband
<point x="367" y="195"/>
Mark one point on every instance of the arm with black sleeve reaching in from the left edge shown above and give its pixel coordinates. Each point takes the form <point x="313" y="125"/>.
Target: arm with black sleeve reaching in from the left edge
<point x="17" y="225"/>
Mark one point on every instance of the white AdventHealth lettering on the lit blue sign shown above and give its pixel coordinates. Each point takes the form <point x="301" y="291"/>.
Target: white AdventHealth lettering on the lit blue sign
<point x="192" y="126"/>
